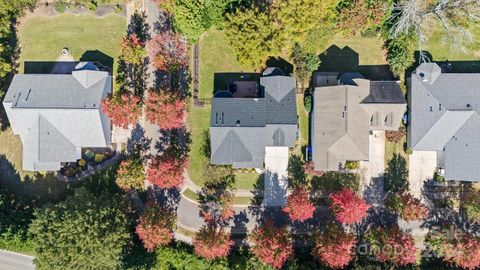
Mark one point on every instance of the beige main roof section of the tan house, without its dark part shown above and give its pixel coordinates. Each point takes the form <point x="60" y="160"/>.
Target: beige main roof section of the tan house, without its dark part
<point x="340" y="126"/>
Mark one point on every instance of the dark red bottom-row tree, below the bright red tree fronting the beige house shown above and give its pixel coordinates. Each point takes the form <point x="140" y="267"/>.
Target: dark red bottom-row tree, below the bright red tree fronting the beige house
<point x="334" y="247"/>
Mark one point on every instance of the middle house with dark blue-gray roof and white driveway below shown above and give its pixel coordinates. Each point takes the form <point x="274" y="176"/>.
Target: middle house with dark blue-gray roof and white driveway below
<point x="249" y="117"/>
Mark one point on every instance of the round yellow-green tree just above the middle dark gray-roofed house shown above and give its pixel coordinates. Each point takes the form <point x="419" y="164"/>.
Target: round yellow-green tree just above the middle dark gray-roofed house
<point x="253" y="36"/>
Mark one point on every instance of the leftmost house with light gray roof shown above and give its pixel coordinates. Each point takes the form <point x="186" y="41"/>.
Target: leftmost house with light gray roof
<point x="56" y="115"/>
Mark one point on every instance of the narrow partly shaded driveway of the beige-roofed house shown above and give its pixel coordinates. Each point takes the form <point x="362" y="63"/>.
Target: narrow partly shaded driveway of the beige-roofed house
<point x="372" y="170"/>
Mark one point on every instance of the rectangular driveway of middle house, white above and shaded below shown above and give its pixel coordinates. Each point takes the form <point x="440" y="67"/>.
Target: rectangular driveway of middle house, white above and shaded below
<point x="275" y="176"/>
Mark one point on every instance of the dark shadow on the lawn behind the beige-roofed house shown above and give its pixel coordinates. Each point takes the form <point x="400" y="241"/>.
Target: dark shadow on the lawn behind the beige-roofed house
<point x="335" y="59"/>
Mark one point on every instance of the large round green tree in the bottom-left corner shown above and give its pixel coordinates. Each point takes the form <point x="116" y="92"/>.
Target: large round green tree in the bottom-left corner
<point x="85" y="231"/>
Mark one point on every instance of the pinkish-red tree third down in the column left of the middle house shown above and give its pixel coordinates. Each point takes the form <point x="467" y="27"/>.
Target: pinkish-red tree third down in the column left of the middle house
<point x="166" y="172"/>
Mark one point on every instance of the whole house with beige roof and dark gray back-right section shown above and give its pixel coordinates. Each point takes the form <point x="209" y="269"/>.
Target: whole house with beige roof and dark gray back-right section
<point x="346" y="108"/>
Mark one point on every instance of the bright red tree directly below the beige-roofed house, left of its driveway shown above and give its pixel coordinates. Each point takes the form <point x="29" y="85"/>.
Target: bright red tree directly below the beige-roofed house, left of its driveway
<point x="348" y="207"/>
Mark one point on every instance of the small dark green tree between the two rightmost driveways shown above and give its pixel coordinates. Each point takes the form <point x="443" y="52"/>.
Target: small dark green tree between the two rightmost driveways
<point x="396" y="175"/>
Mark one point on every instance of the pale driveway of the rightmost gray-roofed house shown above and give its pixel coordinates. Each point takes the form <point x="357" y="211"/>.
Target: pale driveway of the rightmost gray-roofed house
<point x="422" y="167"/>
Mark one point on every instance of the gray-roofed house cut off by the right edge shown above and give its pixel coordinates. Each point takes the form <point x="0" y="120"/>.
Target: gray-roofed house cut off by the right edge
<point x="444" y="118"/>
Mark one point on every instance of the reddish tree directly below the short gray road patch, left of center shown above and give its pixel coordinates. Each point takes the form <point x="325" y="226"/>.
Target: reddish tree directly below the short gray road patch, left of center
<point x="212" y="243"/>
